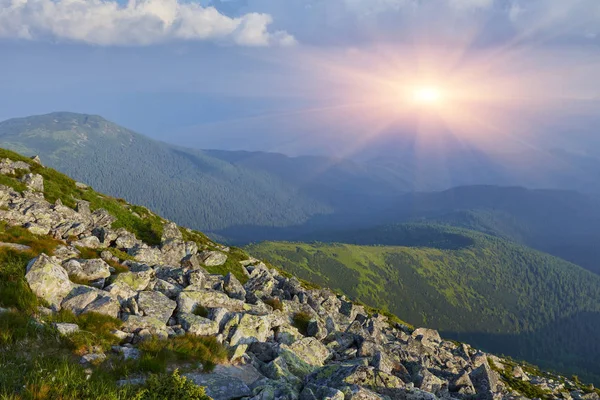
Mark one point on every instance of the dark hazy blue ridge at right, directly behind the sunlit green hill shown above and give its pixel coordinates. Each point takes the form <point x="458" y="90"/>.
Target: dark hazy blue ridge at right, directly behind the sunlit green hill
<point x="563" y="223"/>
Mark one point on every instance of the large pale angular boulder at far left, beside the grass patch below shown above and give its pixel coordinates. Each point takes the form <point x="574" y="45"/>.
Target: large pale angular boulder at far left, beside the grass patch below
<point x="48" y="280"/>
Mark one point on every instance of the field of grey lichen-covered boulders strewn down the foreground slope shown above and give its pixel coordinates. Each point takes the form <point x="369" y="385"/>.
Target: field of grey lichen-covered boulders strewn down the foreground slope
<point x="285" y="339"/>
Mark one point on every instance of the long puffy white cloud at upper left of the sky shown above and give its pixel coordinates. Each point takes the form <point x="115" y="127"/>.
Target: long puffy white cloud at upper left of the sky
<point x="139" y="22"/>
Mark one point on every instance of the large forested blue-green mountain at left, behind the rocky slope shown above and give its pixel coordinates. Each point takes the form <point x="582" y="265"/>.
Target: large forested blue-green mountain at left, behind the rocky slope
<point x="247" y="189"/>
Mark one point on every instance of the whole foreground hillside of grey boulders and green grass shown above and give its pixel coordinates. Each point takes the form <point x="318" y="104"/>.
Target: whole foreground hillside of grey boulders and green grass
<point x="101" y="299"/>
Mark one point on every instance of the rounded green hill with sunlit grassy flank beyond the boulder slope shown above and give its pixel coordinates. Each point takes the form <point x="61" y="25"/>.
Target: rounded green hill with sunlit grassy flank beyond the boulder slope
<point x="471" y="286"/>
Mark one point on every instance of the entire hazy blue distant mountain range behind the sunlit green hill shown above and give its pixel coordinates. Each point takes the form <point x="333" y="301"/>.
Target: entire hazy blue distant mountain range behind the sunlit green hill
<point x="252" y="196"/>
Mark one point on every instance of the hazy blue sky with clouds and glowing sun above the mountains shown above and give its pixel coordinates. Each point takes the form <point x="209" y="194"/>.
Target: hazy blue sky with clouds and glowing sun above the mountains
<point x="332" y="77"/>
